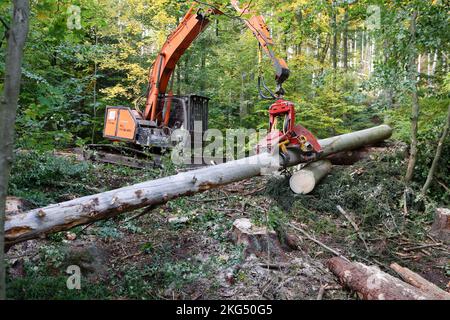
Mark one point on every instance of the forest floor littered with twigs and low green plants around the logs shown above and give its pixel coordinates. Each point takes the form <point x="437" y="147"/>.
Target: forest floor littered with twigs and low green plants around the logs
<point x="145" y="255"/>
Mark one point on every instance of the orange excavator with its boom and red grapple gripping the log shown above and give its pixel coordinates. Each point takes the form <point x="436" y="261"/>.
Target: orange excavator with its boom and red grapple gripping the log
<point x="165" y="112"/>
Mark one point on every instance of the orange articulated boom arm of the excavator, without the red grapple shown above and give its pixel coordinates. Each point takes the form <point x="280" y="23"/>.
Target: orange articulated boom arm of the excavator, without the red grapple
<point x="194" y="23"/>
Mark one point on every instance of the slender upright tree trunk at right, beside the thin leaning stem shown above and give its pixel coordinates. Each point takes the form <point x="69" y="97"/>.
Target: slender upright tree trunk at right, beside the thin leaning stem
<point x="415" y="102"/>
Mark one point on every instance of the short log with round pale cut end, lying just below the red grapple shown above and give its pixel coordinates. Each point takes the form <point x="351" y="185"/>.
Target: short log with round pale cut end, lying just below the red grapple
<point x="305" y="180"/>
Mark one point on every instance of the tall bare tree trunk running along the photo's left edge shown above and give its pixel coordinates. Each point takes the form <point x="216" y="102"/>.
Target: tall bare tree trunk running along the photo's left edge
<point x="16" y="41"/>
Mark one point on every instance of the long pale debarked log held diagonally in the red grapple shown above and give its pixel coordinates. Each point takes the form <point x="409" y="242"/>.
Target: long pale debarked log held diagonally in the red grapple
<point x="66" y="215"/>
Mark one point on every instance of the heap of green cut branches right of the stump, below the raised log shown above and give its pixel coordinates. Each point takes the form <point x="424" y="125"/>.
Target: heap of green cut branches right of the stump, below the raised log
<point x="372" y="191"/>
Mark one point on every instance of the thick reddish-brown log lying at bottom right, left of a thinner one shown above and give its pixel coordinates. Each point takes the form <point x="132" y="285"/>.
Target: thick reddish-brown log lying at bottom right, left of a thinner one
<point x="370" y="283"/>
